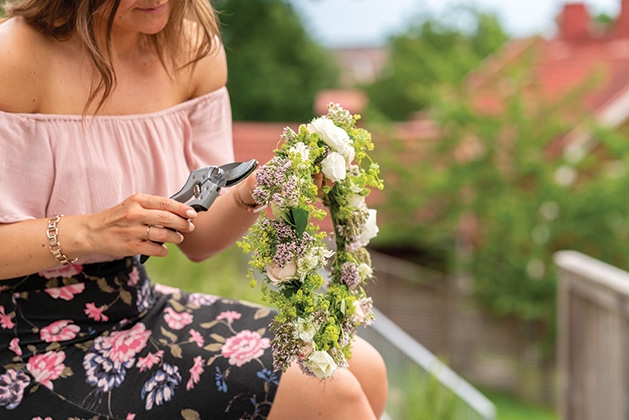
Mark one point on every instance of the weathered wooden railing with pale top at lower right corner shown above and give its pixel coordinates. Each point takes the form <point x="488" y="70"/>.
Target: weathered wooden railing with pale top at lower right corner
<point x="593" y="316"/>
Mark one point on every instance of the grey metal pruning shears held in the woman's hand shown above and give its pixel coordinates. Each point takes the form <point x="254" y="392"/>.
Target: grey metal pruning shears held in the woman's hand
<point x="204" y="185"/>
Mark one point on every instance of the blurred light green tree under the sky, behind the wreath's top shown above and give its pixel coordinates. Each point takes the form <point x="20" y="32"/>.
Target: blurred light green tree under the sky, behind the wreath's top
<point x="429" y="54"/>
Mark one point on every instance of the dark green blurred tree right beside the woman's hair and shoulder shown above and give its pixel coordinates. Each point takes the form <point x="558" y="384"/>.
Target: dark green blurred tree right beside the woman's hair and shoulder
<point x="275" y="68"/>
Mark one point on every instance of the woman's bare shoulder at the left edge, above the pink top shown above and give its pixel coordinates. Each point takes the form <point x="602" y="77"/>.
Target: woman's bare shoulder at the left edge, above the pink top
<point x="23" y="54"/>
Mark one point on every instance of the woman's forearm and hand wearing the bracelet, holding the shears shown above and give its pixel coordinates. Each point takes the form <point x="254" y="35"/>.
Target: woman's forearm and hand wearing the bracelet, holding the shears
<point x="120" y="231"/>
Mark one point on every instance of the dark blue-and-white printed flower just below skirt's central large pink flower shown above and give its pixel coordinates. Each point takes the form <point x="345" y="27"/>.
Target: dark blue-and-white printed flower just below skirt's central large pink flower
<point x="103" y="373"/>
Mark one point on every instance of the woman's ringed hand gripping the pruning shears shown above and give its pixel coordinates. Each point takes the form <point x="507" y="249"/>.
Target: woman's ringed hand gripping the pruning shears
<point x="139" y="225"/>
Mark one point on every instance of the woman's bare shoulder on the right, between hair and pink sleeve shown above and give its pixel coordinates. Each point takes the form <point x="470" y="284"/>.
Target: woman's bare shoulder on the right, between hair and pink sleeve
<point x="210" y="73"/>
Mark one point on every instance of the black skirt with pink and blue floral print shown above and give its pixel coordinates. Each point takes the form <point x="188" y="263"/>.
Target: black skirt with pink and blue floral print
<point x="99" y="341"/>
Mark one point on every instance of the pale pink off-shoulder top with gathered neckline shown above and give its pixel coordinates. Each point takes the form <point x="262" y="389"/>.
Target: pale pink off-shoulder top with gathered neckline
<point x="68" y="164"/>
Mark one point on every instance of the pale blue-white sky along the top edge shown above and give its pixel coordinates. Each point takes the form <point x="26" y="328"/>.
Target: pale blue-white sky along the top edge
<point x="359" y="23"/>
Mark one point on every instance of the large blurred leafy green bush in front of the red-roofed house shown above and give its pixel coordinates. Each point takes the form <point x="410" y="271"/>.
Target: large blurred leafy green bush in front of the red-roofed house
<point x="490" y="194"/>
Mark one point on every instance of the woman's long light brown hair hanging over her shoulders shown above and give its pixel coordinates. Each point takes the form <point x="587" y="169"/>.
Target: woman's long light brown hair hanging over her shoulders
<point x="63" y="19"/>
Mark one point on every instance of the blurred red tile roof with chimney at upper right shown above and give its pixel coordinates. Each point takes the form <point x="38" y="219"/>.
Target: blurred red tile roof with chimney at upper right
<point x="579" y="56"/>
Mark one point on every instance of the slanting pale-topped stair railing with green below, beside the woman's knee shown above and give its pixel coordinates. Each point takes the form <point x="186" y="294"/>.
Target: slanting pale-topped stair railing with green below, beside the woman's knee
<point x="420" y="385"/>
